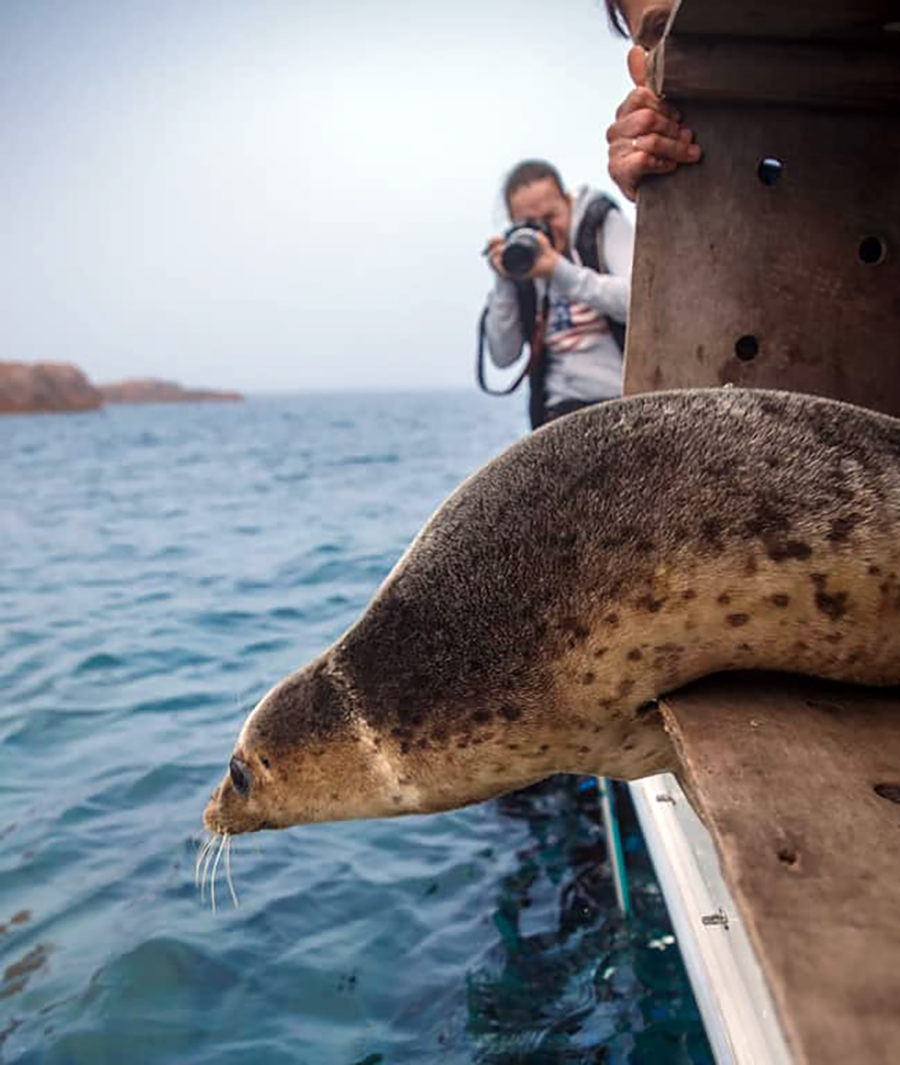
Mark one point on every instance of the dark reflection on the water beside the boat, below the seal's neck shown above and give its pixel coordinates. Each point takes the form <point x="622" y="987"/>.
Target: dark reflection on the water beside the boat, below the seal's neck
<point x="570" y="980"/>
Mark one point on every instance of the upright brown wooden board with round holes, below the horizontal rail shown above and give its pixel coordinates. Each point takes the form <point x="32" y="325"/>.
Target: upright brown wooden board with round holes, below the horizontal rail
<point x="740" y="282"/>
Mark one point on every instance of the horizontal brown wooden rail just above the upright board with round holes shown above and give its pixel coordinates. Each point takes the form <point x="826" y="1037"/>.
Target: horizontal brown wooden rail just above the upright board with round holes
<point x="799" y="74"/>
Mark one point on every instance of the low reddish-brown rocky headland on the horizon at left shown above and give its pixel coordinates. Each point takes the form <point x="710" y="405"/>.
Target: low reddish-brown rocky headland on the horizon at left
<point x="32" y="388"/>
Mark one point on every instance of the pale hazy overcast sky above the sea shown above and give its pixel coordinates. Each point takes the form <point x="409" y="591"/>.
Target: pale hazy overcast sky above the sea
<point x="277" y="194"/>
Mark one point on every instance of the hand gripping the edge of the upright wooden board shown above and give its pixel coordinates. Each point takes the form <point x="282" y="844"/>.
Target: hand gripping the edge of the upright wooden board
<point x="647" y="137"/>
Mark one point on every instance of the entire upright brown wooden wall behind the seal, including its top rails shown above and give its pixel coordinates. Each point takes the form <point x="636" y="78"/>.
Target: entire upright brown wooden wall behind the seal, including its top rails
<point x="776" y="263"/>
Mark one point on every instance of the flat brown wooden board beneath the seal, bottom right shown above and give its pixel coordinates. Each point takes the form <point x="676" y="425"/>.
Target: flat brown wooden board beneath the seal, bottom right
<point x="784" y="773"/>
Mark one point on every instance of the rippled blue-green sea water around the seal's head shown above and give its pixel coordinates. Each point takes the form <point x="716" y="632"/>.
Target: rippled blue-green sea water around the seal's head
<point x="160" y="568"/>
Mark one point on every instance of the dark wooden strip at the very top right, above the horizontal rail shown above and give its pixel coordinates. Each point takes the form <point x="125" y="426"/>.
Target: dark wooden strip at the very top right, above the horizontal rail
<point x="860" y="20"/>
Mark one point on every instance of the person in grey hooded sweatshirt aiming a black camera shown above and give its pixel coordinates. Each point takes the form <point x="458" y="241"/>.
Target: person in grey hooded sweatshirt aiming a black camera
<point x="563" y="281"/>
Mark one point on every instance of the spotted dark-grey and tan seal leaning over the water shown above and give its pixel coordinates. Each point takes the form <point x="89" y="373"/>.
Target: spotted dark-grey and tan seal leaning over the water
<point x="607" y="560"/>
